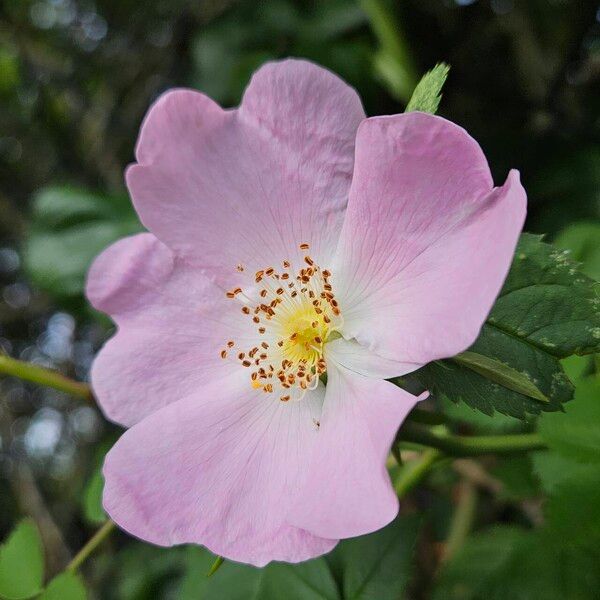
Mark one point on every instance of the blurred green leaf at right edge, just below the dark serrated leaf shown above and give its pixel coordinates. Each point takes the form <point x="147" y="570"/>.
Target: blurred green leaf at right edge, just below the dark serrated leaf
<point x="576" y="434"/>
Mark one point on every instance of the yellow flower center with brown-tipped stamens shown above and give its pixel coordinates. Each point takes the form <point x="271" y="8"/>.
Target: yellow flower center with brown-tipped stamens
<point x="294" y="314"/>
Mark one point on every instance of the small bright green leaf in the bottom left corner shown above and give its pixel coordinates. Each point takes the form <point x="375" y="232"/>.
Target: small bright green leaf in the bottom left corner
<point x="21" y="563"/>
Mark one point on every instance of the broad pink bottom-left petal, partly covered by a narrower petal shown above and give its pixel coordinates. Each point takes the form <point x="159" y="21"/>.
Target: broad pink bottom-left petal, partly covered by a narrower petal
<point x="219" y="468"/>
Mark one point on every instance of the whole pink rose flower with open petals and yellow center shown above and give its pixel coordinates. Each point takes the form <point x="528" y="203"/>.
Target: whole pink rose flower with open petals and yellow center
<point x="289" y="238"/>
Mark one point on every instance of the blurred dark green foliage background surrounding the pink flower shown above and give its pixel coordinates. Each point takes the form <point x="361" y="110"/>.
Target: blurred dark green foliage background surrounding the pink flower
<point x="76" y="77"/>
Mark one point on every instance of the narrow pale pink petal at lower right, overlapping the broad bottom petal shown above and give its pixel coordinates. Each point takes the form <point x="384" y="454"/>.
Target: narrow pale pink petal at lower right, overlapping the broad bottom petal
<point x="349" y="491"/>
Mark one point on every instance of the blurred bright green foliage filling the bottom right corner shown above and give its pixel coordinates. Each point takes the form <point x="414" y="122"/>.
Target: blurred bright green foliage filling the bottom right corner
<point x="559" y="559"/>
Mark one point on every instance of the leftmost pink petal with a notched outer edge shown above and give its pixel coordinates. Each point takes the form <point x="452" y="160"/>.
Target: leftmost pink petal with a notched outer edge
<point x="172" y="321"/>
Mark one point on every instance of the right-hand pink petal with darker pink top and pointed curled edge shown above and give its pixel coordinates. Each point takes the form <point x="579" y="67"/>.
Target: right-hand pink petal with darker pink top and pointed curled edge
<point x="426" y="243"/>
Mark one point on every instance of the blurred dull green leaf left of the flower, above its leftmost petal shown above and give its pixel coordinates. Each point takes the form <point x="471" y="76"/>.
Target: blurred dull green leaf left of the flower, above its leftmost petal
<point x="69" y="228"/>
